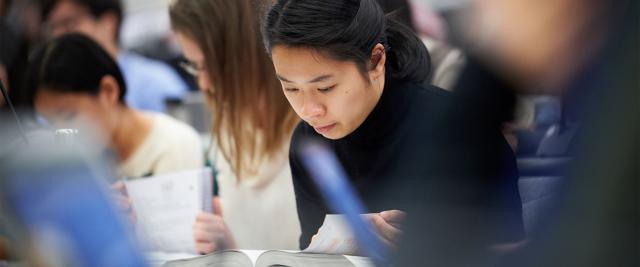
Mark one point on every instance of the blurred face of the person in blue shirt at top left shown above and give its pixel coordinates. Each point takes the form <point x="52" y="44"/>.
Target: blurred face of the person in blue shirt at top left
<point x="69" y="17"/>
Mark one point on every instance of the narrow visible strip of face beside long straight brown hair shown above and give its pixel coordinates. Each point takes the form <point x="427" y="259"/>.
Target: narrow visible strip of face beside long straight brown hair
<point x="195" y="66"/>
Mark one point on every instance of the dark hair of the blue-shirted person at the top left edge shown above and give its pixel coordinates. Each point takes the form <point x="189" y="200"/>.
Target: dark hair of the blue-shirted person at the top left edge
<point x="96" y="8"/>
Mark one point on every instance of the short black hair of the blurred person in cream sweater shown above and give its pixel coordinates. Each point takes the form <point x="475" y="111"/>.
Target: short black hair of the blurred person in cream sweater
<point x="73" y="63"/>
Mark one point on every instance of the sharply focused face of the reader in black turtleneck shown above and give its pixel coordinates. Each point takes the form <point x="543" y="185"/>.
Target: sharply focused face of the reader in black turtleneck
<point x="330" y="95"/>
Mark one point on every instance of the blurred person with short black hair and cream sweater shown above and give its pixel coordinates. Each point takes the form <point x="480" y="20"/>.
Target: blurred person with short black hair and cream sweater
<point x="78" y="85"/>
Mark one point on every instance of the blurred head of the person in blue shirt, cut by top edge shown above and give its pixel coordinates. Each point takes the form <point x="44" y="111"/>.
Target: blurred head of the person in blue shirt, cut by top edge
<point x="99" y="19"/>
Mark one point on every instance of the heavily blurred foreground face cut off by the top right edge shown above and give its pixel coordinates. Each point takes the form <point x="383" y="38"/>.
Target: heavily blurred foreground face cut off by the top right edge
<point x="503" y="34"/>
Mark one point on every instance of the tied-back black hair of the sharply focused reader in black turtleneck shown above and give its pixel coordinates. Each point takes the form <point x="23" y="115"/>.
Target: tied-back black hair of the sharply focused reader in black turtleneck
<point x="347" y="30"/>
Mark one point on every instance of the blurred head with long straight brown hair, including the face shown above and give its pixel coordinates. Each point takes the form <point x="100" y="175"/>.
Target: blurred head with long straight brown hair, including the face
<point x="221" y="40"/>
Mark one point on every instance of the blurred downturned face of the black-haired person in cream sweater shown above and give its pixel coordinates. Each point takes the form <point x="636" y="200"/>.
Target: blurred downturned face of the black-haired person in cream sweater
<point x="94" y="115"/>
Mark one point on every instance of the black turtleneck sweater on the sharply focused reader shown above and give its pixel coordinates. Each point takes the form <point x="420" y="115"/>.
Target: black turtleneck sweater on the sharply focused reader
<point x="405" y="155"/>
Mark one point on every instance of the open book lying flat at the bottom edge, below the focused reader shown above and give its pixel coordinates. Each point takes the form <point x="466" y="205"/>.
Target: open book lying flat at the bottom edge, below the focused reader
<point x="262" y="258"/>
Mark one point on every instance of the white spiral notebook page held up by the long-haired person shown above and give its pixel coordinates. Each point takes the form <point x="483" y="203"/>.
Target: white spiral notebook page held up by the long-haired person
<point x="166" y="207"/>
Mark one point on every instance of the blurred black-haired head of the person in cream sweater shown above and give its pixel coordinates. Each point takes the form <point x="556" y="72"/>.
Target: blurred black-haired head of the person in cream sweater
<point x="78" y="85"/>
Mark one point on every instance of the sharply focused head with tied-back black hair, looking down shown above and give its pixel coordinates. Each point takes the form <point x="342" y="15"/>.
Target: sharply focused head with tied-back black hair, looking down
<point x="332" y="58"/>
